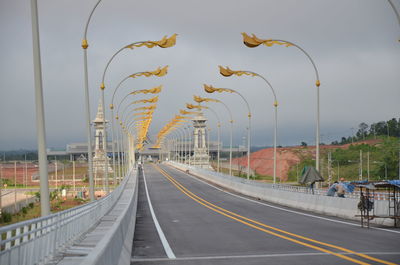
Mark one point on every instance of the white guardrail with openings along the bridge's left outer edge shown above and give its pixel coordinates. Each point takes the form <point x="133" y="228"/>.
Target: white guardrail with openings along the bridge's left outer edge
<point x="36" y="241"/>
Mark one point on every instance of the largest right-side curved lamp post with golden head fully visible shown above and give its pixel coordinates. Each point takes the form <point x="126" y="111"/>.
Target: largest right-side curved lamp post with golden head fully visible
<point x="253" y="42"/>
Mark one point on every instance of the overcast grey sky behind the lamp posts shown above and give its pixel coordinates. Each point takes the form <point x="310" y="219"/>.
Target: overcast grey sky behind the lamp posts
<point x="354" y="44"/>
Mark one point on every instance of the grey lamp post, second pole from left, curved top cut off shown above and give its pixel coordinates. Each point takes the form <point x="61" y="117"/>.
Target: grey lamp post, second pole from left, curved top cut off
<point x="85" y="45"/>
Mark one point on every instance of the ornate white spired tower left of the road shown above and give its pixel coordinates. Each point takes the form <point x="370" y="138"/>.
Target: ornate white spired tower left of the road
<point x="100" y="159"/>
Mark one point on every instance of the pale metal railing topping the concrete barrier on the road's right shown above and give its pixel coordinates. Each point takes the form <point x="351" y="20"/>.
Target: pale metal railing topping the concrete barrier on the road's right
<point x="284" y="187"/>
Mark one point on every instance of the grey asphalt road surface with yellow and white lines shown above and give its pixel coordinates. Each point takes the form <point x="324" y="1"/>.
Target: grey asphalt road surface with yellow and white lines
<point x="201" y="224"/>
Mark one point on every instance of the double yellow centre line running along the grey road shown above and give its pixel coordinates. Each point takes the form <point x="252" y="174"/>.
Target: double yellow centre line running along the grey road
<point x="231" y="215"/>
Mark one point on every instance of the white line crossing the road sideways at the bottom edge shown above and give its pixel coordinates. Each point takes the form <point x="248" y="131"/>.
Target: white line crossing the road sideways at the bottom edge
<point x="262" y="256"/>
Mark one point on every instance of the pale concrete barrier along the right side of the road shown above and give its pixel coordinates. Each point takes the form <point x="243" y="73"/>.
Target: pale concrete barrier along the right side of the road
<point x="333" y="206"/>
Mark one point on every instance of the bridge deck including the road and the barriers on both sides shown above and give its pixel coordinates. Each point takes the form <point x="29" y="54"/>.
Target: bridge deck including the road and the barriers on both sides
<point x="172" y="213"/>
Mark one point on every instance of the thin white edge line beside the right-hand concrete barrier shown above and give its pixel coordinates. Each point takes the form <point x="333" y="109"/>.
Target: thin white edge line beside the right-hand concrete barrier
<point x="283" y="209"/>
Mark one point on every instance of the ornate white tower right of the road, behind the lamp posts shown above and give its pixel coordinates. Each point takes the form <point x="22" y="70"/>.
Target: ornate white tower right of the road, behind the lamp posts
<point x="200" y="153"/>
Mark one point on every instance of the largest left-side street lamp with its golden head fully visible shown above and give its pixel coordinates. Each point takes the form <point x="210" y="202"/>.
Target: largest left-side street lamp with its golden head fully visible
<point x="163" y="43"/>
